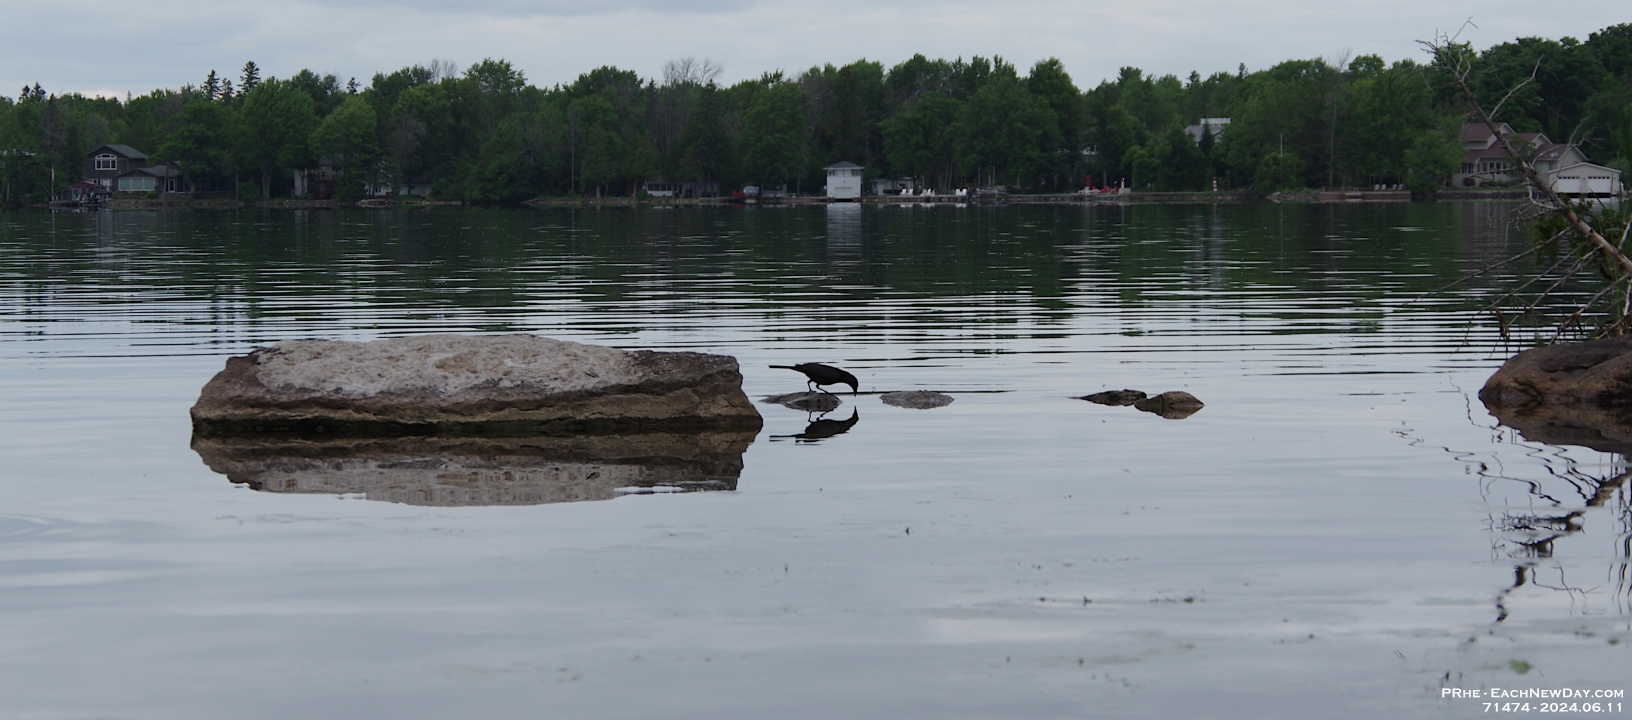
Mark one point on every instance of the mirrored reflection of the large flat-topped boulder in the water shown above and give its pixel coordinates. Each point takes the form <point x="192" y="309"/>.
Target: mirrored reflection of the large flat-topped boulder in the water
<point x="489" y="471"/>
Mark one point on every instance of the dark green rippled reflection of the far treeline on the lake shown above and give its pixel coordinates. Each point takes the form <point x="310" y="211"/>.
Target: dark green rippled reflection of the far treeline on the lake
<point x="1000" y="270"/>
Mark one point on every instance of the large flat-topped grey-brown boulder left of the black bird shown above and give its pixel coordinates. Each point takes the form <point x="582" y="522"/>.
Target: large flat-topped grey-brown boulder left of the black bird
<point x="471" y="386"/>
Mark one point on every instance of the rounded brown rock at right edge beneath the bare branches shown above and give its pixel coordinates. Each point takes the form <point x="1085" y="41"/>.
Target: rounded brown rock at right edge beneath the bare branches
<point x="1577" y="394"/>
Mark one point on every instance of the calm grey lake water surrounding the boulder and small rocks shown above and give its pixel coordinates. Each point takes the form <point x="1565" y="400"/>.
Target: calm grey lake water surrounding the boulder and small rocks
<point x="1342" y="531"/>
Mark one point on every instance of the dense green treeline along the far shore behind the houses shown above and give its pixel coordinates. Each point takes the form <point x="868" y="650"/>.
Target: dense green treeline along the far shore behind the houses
<point x="487" y="136"/>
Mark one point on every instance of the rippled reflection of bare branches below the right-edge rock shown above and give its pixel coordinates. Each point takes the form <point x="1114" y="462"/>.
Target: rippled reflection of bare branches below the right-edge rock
<point x="1563" y="494"/>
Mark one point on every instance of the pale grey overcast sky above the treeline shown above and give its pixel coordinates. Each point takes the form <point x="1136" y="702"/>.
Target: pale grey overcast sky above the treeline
<point x="110" y="48"/>
